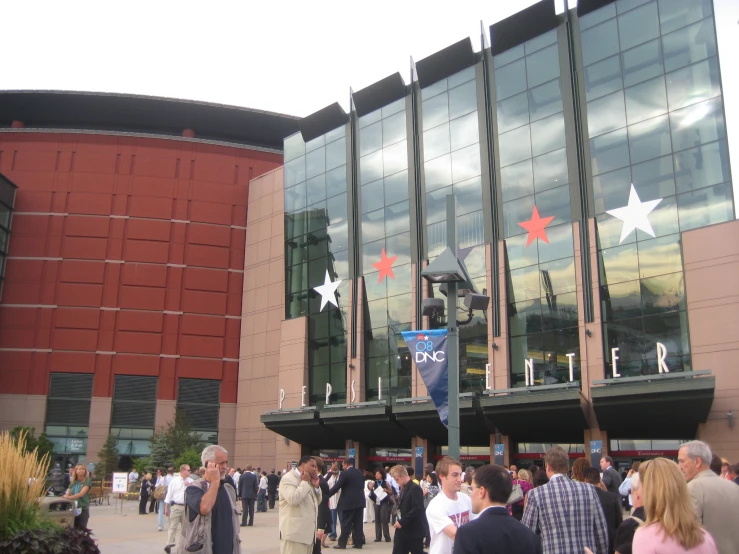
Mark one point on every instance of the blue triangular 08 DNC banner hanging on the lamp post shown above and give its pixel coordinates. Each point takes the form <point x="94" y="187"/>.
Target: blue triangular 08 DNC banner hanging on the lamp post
<point x="428" y="348"/>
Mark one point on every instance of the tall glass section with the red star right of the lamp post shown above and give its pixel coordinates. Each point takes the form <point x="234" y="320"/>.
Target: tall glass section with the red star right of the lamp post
<point x="534" y="184"/>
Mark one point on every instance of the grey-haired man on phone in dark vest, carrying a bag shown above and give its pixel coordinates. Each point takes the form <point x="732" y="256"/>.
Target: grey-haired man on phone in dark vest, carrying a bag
<point x="213" y="500"/>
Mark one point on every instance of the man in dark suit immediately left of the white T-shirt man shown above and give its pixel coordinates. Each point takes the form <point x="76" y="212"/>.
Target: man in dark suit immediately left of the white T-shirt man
<point x="409" y="527"/>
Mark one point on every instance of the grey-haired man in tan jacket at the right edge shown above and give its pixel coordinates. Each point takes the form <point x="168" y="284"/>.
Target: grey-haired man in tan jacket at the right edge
<point x="715" y="500"/>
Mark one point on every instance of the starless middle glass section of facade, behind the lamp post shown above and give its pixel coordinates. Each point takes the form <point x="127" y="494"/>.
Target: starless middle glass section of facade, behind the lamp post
<point x="453" y="165"/>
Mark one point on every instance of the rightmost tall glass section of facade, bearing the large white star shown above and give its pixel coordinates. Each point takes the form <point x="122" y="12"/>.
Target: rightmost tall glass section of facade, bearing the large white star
<point x="657" y="139"/>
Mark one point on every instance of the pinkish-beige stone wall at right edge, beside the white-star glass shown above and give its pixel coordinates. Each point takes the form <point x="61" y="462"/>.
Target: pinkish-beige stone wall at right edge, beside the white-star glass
<point x="711" y="261"/>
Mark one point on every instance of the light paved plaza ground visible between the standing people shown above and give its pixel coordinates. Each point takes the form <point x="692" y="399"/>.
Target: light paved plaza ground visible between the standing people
<point x="130" y="532"/>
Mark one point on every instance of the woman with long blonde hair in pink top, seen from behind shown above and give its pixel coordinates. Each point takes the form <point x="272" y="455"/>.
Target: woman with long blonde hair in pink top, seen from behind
<point x="671" y="526"/>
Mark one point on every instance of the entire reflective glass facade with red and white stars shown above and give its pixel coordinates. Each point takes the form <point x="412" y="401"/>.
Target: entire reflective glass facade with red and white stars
<point x="616" y="117"/>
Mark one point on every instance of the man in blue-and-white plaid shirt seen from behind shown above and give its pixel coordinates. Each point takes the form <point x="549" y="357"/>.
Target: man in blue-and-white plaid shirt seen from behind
<point x="566" y="514"/>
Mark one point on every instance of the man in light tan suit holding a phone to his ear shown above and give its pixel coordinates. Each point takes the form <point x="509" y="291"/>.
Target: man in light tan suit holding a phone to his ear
<point x="300" y="495"/>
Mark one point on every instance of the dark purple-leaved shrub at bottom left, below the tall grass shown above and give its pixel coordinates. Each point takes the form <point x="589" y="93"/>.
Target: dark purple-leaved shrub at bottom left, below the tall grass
<point x="67" y="540"/>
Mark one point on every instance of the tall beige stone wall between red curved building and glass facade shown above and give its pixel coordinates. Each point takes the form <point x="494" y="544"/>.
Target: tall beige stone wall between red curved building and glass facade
<point x="261" y="328"/>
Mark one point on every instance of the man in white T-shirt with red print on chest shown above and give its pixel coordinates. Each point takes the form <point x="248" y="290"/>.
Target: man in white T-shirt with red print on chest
<point x="449" y="510"/>
